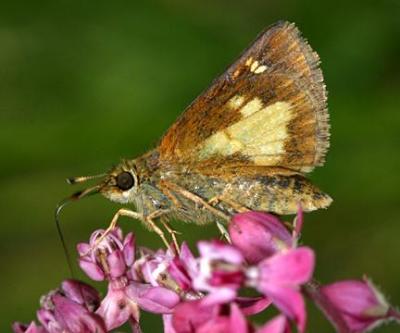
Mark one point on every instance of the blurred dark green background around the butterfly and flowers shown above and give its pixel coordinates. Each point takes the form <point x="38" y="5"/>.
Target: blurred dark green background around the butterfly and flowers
<point x="85" y="83"/>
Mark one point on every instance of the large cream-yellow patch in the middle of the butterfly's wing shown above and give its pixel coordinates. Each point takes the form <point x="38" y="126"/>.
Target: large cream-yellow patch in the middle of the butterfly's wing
<point x="260" y="135"/>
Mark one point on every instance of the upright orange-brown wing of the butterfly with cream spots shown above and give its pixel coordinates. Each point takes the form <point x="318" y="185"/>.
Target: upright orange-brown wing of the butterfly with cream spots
<point x="267" y="109"/>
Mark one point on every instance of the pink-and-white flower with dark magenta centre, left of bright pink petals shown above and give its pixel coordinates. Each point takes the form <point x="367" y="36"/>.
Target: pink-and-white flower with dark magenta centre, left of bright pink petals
<point x="219" y="271"/>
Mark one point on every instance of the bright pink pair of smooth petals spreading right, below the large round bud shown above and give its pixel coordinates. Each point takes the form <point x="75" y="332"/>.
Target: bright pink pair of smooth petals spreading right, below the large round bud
<point x="279" y="278"/>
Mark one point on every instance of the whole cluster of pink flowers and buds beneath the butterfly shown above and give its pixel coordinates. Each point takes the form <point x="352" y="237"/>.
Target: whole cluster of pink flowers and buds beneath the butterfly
<point x="204" y="293"/>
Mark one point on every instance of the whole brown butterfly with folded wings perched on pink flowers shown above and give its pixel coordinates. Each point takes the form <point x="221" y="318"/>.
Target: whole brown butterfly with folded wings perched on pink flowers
<point x="245" y="143"/>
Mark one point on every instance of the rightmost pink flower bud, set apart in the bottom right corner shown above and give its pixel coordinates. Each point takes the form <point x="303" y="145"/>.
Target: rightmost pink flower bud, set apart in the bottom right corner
<point x="360" y="304"/>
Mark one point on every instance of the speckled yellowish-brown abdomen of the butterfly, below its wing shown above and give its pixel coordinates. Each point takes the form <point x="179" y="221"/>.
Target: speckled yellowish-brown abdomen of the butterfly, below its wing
<point x="280" y="194"/>
